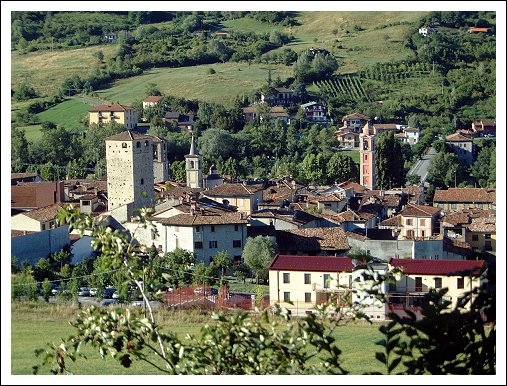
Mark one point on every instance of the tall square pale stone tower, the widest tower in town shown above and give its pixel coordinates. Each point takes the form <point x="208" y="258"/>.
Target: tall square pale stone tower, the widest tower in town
<point x="129" y="159"/>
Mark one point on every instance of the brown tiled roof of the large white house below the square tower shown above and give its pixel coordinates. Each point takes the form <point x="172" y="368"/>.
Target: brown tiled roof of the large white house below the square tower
<point x="208" y="218"/>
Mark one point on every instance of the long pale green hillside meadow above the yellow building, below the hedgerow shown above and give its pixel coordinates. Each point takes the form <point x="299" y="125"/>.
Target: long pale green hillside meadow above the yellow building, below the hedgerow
<point x="231" y="79"/>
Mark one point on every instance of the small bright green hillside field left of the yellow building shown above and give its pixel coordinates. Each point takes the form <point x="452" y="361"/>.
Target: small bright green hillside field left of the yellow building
<point x="68" y="114"/>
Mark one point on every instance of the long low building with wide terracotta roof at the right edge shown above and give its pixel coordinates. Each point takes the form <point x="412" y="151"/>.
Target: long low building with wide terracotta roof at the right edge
<point x="454" y="199"/>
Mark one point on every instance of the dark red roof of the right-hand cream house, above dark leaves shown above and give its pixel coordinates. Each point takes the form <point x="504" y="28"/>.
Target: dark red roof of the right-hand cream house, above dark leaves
<point x="439" y="267"/>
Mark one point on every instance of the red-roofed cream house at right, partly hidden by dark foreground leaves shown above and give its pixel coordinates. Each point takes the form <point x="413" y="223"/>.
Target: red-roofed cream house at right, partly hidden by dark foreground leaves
<point x="419" y="276"/>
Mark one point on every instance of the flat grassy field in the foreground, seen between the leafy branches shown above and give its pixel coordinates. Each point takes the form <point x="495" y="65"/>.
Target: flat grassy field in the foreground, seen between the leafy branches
<point x="33" y="326"/>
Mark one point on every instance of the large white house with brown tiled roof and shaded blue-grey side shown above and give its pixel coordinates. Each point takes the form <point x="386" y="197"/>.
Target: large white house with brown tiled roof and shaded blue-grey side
<point x="204" y="231"/>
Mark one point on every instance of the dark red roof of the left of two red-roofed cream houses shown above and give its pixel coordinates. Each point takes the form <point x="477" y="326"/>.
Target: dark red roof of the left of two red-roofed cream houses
<point x="311" y="263"/>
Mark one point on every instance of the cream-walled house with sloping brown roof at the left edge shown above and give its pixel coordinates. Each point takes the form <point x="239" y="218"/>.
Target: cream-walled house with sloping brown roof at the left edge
<point x="36" y="220"/>
